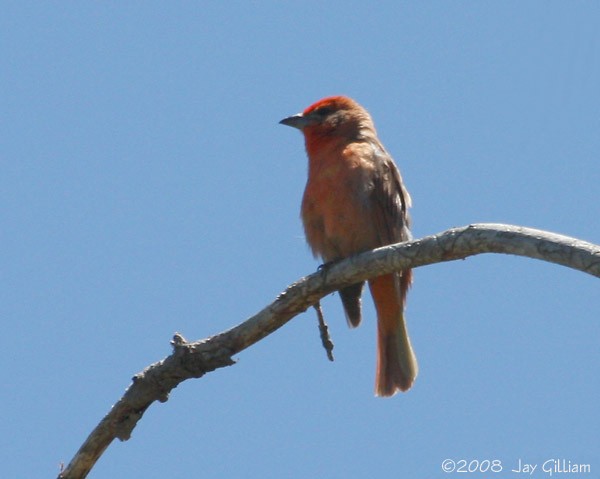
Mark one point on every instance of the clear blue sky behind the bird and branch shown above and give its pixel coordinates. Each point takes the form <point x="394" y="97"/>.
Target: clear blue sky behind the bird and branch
<point x="146" y="188"/>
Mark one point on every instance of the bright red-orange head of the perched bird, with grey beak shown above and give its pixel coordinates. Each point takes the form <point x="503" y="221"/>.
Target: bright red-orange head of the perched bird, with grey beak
<point x="335" y="116"/>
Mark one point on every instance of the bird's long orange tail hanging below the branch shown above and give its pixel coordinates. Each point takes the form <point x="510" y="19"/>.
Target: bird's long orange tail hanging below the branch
<point x="396" y="362"/>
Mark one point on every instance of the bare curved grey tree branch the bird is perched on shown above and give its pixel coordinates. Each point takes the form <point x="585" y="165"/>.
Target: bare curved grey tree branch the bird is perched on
<point x="193" y="360"/>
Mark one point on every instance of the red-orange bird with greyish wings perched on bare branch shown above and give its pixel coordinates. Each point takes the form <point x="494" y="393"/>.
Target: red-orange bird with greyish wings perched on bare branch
<point x="354" y="201"/>
